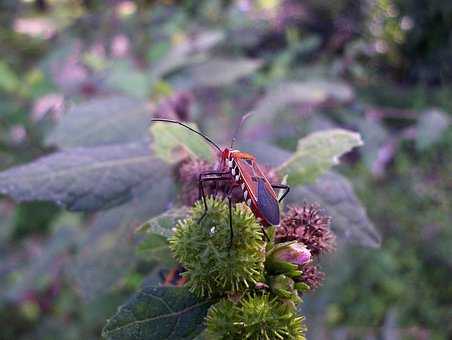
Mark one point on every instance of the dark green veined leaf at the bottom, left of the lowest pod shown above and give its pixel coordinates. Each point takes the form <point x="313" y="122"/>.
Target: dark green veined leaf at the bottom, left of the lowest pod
<point x="158" y="313"/>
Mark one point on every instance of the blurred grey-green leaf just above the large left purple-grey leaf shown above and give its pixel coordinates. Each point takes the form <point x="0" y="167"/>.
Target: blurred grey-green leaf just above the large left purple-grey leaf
<point x="111" y="120"/>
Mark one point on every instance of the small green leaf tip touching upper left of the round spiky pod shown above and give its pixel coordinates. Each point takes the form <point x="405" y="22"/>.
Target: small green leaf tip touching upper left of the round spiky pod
<point x="163" y="224"/>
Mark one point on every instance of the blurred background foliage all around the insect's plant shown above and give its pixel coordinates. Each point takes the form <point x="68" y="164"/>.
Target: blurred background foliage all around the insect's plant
<point x="380" y="67"/>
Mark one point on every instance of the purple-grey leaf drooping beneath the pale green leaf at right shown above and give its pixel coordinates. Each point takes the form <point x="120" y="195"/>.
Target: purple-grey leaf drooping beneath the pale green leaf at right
<point x="335" y="194"/>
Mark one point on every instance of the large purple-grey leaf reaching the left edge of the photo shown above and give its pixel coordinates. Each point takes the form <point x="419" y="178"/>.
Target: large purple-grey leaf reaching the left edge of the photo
<point x="84" y="179"/>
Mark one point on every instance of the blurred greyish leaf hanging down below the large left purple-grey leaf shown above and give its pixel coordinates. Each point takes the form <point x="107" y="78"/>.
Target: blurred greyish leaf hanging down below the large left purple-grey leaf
<point x="107" y="252"/>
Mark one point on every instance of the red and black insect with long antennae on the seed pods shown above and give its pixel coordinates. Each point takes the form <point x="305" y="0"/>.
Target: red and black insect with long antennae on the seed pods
<point x="242" y="172"/>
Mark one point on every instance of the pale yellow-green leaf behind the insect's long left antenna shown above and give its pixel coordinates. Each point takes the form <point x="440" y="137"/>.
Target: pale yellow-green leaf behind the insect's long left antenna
<point x="169" y="138"/>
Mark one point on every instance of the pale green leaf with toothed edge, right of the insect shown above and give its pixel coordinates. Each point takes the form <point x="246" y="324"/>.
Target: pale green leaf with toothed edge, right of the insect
<point x="317" y="153"/>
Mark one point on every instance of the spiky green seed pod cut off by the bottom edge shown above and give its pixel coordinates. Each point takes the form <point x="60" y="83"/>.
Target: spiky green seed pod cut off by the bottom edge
<point x="254" y="317"/>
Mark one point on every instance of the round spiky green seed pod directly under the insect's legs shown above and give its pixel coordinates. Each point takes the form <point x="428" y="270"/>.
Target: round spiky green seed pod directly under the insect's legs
<point x="214" y="268"/>
